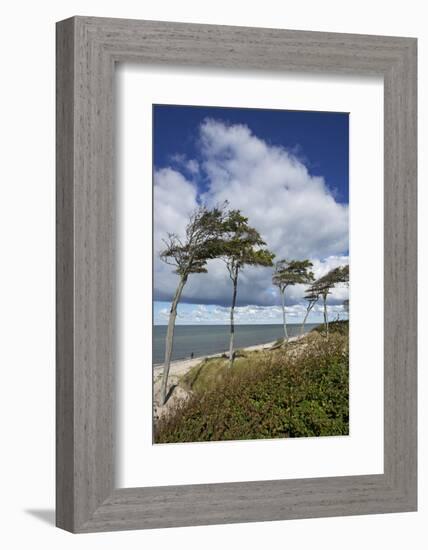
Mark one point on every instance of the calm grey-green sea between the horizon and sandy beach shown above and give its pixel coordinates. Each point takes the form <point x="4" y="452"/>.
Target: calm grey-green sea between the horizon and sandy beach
<point x="211" y="339"/>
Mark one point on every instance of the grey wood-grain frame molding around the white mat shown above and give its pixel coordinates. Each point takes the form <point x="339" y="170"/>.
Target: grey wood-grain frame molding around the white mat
<point x="87" y="50"/>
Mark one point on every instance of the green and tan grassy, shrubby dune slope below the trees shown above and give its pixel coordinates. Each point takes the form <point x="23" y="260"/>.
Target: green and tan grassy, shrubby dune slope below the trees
<point x="297" y="391"/>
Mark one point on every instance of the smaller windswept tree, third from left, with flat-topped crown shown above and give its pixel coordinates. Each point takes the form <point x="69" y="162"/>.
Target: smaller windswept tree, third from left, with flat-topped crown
<point x="288" y="273"/>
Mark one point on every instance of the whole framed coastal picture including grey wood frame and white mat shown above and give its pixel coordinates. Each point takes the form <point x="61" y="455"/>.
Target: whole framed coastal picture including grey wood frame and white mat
<point x="236" y="274"/>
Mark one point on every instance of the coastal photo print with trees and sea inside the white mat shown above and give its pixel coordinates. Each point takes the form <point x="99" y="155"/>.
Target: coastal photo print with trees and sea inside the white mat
<point x="267" y="236"/>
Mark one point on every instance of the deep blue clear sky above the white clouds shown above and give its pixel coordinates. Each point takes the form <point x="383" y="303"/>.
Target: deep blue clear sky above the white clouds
<point x="319" y="139"/>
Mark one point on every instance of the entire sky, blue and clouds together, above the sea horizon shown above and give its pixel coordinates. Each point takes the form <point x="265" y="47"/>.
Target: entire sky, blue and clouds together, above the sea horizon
<point x="286" y="170"/>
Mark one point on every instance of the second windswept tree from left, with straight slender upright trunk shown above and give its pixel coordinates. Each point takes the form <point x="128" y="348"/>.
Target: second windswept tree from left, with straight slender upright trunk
<point x="242" y="245"/>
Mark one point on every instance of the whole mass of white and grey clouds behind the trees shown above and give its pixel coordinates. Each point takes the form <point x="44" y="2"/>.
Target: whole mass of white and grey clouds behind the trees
<point x="295" y="212"/>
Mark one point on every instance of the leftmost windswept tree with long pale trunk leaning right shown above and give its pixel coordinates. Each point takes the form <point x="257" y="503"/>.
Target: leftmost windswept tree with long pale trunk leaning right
<point x="190" y="255"/>
